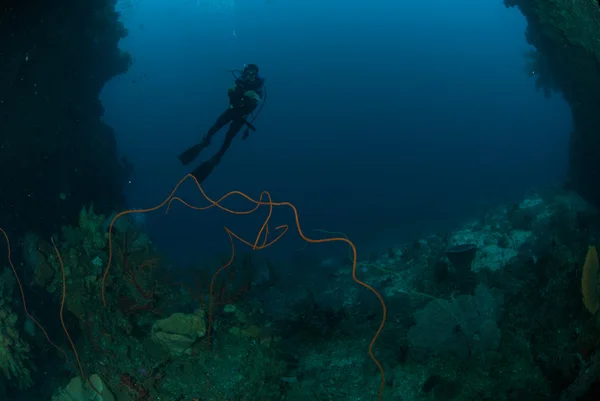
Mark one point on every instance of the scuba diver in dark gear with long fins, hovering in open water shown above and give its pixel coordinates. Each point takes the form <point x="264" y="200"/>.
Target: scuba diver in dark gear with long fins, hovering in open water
<point x="246" y="93"/>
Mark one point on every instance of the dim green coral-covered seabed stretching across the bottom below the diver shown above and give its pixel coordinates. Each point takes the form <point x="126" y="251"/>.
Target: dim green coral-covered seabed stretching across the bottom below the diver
<point x="496" y="309"/>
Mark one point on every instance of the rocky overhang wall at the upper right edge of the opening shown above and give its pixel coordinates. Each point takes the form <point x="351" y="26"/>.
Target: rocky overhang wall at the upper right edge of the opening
<point x="566" y="33"/>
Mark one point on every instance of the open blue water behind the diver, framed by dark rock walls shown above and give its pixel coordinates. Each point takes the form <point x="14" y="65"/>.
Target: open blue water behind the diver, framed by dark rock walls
<point x="385" y="120"/>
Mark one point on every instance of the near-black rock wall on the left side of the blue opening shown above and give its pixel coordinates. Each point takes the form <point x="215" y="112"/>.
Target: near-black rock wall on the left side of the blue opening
<point x="56" y="154"/>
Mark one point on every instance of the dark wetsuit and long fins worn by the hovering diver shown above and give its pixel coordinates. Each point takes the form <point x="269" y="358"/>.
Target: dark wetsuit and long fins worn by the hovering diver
<point x="240" y="106"/>
